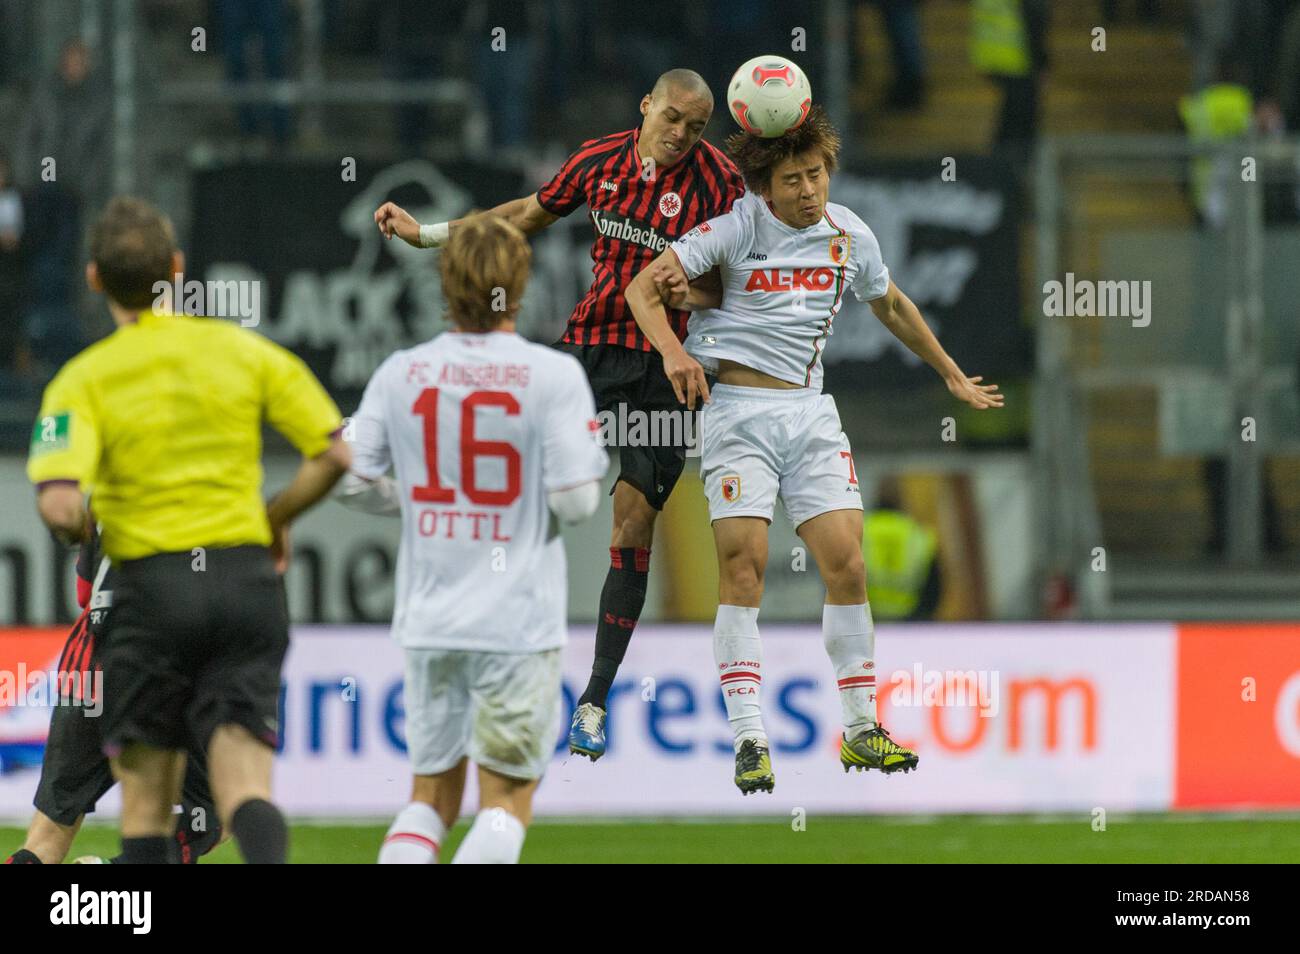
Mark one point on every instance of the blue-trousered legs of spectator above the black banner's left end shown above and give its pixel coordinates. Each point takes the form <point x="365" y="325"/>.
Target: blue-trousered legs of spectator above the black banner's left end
<point x="239" y="21"/>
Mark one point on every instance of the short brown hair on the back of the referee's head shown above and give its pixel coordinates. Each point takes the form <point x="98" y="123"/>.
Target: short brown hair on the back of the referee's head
<point x="132" y="246"/>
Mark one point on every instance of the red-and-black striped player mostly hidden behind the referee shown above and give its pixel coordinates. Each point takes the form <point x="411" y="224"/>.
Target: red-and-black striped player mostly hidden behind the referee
<point x="75" y="774"/>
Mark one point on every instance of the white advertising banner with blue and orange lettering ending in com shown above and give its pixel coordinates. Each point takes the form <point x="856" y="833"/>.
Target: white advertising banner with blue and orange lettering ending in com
<point x="1006" y="719"/>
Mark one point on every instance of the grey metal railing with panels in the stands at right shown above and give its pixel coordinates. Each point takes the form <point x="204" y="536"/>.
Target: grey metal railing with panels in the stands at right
<point x="1236" y="328"/>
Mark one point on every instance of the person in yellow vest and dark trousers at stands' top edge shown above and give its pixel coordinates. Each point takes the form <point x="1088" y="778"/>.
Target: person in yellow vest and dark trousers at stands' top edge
<point x="1009" y="44"/>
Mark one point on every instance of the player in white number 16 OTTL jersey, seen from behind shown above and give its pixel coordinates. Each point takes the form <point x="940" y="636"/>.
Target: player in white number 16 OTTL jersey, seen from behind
<point x="491" y="439"/>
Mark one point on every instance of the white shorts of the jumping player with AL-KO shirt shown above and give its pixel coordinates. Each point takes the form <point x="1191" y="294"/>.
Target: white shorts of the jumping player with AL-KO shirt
<point x="759" y="444"/>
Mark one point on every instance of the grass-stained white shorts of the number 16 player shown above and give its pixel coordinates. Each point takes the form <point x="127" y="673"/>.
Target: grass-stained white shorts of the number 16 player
<point x="500" y="709"/>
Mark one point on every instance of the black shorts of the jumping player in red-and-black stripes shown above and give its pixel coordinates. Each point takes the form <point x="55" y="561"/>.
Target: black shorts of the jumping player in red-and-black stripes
<point x="626" y="381"/>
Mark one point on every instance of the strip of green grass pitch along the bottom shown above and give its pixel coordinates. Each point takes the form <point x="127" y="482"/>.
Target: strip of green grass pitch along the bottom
<point x="1151" y="839"/>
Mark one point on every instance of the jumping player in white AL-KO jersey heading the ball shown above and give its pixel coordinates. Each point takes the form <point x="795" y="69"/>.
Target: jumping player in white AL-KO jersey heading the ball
<point x="787" y="259"/>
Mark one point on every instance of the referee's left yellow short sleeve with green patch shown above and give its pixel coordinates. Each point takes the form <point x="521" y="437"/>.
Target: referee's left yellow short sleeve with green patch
<point x="66" y="440"/>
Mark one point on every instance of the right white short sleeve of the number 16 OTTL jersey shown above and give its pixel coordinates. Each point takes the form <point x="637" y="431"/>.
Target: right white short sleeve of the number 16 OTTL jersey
<point x="571" y="454"/>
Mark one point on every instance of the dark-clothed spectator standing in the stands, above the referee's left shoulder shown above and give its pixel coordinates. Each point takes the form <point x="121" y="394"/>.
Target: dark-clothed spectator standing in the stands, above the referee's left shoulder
<point x="66" y="141"/>
